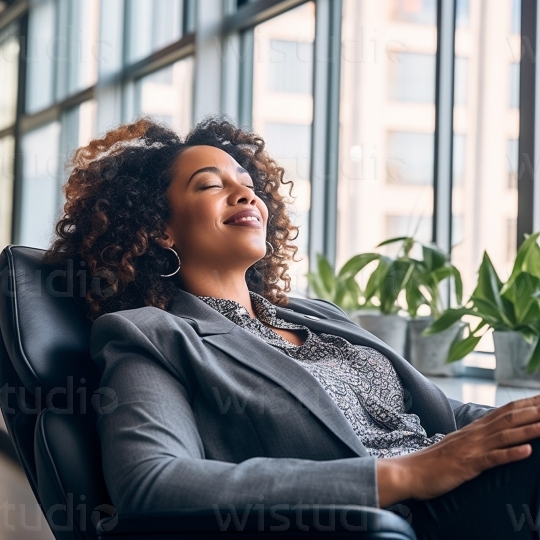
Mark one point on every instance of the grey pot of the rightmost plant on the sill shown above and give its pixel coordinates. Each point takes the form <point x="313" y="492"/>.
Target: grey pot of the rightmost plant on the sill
<point x="511" y="352"/>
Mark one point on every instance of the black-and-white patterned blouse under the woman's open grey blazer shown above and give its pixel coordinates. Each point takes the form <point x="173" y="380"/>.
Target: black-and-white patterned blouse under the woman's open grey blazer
<point x="361" y="381"/>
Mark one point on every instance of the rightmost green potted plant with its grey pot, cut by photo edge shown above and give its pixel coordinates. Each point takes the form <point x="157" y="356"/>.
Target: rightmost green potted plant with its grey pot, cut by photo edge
<point x="512" y="310"/>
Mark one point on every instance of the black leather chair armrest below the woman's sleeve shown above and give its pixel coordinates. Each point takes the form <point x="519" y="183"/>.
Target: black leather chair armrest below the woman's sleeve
<point x="283" y="521"/>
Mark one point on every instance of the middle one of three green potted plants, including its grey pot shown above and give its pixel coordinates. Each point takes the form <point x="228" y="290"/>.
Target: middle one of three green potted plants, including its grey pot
<point x="423" y="292"/>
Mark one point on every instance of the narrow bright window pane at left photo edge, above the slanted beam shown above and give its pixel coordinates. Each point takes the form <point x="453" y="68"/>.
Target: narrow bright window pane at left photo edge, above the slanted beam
<point x="9" y="63"/>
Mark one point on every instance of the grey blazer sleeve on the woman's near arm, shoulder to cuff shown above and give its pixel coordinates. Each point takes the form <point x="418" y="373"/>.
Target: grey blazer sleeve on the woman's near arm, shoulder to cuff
<point x="153" y="455"/>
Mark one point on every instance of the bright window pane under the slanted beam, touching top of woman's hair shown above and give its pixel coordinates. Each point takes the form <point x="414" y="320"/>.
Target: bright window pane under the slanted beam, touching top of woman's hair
<point x="166" y="95"/>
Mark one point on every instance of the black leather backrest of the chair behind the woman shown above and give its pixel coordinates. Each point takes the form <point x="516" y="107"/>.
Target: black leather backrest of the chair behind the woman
<point x="48" y="389"/>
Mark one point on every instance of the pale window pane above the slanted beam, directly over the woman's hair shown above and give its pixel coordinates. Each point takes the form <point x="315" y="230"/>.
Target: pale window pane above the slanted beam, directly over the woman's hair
<point x="152" y="24"/>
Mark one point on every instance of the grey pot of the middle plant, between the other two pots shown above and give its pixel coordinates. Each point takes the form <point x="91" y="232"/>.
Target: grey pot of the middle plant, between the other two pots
<point x="428" y="353"/>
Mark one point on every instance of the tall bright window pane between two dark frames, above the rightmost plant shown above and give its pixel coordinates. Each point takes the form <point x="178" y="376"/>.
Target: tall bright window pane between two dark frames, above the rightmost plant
<point x="486" y="196"/>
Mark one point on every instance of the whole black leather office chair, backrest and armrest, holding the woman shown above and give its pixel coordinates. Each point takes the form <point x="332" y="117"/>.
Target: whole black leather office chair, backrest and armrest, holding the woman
<point x="49" y="391"/>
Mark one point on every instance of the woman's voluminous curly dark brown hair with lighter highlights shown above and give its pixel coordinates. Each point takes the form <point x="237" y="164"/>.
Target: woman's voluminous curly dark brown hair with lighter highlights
<point x="116" y="208"/>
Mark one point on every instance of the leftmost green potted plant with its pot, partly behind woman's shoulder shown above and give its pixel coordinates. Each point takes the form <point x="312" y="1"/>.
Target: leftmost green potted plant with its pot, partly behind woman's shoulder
<point x="374" y="307"/>
